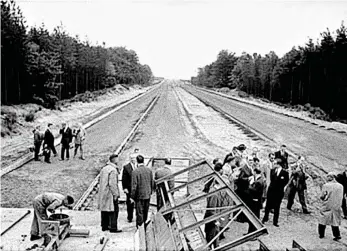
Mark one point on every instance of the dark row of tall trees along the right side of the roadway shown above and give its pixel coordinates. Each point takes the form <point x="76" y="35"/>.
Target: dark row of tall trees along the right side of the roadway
<point x="314" y="74"/>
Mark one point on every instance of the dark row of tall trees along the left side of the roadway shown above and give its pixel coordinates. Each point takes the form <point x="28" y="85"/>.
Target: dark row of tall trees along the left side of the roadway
<point x="43" y="67"/>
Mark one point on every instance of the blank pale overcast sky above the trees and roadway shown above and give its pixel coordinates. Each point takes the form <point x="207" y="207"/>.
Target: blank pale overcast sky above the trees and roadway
<point x="176" y="37"/>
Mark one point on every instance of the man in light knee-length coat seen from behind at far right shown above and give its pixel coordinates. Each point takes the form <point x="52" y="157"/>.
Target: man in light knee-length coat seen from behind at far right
<point x="331" y="212"/>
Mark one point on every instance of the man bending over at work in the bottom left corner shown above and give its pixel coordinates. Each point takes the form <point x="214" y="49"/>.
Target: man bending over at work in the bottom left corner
<point x="43" y="203"/>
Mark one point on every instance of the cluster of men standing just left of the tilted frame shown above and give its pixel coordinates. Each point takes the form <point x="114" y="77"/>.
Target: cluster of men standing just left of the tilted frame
<point x="138" y="182"/>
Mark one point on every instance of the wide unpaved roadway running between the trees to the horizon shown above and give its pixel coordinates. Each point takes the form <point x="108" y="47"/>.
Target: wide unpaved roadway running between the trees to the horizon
<point x="179" y="125"/>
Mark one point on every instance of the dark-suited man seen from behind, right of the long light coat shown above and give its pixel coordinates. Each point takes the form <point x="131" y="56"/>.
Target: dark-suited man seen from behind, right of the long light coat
<point x="142" y="185"/>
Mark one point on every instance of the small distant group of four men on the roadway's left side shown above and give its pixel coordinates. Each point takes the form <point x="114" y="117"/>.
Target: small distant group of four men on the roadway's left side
<point x="46" y="140"/>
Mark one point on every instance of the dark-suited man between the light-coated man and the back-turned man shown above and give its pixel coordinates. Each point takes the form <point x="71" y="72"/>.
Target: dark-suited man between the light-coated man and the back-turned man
<point x="126" y="183"/>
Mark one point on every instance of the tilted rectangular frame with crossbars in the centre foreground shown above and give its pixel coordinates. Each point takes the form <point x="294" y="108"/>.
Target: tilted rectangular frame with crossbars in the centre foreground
<point x="190" y="233"/>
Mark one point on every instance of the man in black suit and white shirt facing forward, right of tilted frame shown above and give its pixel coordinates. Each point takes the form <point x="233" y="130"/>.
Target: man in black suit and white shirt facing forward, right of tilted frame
<point x="279" y="179"/>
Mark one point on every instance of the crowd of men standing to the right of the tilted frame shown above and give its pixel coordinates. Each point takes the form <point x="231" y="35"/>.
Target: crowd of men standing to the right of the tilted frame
<point x="264" y="183"/>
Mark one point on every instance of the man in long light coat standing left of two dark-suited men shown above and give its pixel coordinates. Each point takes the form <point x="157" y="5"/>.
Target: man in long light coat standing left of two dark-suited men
<point x="109" y="195"/>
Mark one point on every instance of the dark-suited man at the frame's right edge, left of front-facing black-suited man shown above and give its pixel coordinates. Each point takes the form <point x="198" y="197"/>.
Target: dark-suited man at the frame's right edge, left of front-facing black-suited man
<point x="255" y="191"/>
